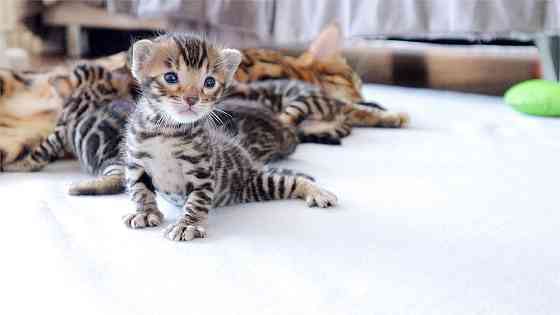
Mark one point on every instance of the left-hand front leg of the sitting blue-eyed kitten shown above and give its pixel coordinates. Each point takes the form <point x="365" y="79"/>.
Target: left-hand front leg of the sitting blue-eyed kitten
<point x="143" y="193"/>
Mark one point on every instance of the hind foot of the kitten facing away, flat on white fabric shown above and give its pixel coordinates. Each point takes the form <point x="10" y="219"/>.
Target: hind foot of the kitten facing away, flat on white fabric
<point x="104" y="185"/>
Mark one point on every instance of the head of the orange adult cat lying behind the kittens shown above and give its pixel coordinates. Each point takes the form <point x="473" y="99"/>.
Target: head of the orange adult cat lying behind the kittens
<point x="324" y="57"/>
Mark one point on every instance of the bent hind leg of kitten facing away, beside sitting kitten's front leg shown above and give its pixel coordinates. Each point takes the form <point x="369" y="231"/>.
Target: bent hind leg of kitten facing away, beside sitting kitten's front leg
<point x="110" y="182"/>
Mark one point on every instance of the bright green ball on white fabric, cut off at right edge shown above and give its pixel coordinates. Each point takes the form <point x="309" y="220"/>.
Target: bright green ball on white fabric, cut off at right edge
<point x="535" y="97"/>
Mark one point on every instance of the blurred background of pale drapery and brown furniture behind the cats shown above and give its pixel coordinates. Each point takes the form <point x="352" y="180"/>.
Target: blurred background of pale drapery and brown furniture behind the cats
<point x="465" y="45"/>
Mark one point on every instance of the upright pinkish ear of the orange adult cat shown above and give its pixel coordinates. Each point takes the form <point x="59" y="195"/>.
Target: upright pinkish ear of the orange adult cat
<point x="328" y="44"/>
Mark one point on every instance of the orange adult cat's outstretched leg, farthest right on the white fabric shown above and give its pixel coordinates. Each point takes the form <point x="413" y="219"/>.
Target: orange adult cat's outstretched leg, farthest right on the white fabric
<point x="369" y="114"/>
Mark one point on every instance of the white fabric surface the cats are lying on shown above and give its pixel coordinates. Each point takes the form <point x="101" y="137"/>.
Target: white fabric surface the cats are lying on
<point x="456" y="215"/>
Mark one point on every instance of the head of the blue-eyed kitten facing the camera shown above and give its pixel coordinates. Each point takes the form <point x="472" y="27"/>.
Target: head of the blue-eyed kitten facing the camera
<point x="182" y="76"/>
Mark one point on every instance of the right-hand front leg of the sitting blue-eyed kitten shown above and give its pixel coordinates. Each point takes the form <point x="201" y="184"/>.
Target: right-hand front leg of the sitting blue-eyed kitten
<point x="194" y="221"/>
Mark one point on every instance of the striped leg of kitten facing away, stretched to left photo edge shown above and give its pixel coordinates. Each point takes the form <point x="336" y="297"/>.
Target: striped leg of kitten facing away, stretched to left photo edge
<point x="47" y="151"/>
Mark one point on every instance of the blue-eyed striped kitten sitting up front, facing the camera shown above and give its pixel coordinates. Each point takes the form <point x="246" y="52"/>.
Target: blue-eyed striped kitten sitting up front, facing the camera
<point x="171" y="148"/>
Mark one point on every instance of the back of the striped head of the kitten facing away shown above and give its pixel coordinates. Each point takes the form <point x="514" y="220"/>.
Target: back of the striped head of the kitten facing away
<point x="93" y="81"/>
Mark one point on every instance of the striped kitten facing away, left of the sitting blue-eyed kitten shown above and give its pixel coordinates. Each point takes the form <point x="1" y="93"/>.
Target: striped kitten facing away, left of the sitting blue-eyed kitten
<point x="88" y="127"/>
